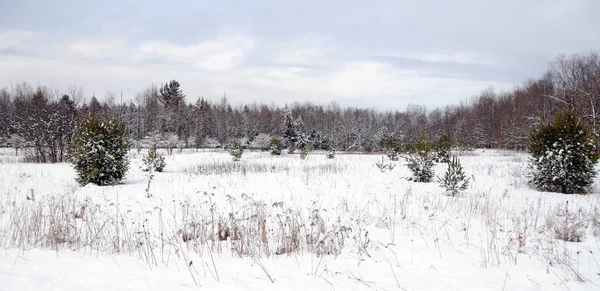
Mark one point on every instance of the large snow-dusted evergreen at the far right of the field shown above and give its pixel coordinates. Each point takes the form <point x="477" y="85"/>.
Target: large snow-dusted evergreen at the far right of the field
<point x="563" y="154"/>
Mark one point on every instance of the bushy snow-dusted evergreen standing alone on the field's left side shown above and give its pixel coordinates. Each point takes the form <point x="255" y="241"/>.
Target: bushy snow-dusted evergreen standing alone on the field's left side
<point x="99" y="151"/>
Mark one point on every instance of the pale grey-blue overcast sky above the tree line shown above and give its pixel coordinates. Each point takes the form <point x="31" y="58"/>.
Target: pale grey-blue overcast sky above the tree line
<point x="381" y="54"/>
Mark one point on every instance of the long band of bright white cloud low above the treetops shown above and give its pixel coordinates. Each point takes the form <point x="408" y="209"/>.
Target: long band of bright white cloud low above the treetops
<point x="307" y="71"/>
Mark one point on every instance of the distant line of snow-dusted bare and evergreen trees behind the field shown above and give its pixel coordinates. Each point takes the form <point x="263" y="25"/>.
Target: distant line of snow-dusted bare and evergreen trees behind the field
<point x="43" y="119"/>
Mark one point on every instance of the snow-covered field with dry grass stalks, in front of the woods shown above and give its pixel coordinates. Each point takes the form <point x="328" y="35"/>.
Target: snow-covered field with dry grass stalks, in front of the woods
<point x="282" y="223"/>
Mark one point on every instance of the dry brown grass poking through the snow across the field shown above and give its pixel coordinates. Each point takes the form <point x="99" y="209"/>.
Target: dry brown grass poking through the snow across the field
<point x="250" y="226"/>
